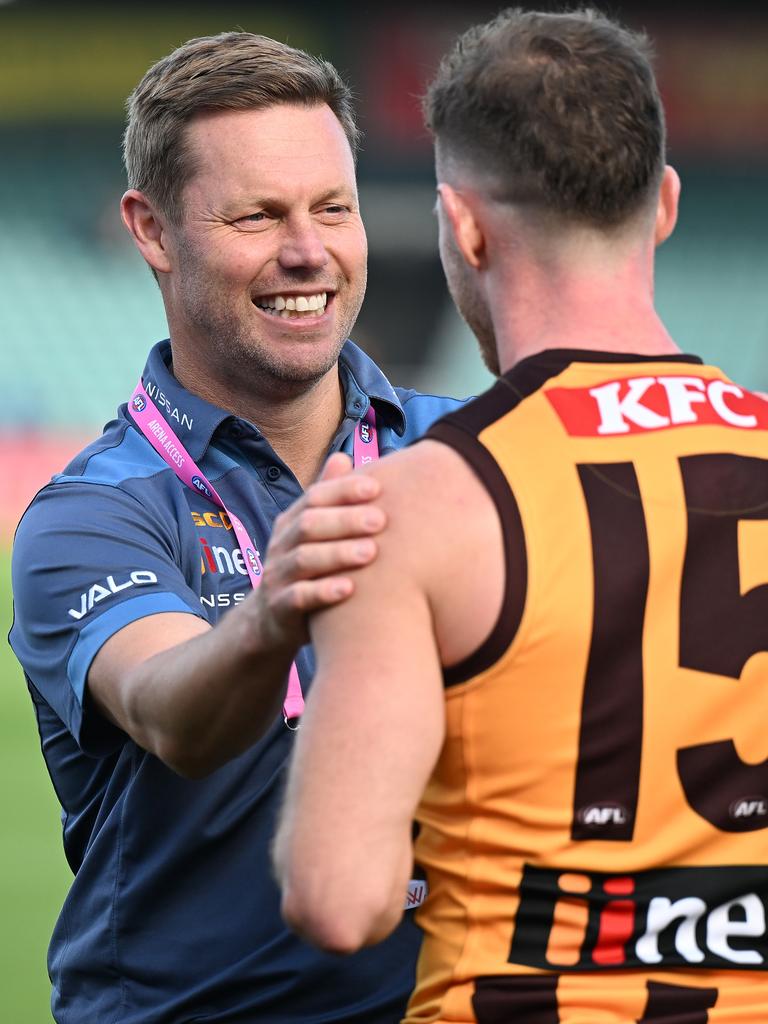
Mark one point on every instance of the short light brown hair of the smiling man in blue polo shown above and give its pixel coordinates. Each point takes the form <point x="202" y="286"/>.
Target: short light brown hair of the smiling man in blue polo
<point x="234" y="71"/>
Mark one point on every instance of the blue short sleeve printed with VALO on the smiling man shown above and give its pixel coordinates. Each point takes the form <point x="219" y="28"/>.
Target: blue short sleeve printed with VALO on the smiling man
<point x="89" y="560"/>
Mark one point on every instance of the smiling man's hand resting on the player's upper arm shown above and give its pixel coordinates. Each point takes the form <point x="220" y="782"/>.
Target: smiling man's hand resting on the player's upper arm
<point x="327" y="533"/>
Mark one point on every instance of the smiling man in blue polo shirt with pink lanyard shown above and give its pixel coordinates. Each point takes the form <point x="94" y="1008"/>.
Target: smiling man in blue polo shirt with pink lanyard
<point x="156" y="658"/>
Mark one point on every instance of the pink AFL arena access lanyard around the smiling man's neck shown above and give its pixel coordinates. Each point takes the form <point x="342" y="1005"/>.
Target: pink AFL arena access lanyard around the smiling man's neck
<point x="158" y="433"/>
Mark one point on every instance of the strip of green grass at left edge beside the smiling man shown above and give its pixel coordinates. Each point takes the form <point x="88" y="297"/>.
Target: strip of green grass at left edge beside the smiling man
<point x="34" y="876"/>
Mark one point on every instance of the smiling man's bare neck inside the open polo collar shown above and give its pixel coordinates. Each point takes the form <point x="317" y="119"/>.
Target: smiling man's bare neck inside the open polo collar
<point x="300" y="422"/>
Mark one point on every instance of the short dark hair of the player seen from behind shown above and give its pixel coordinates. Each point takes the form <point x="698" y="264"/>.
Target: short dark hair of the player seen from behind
<point x="560" y="110"/>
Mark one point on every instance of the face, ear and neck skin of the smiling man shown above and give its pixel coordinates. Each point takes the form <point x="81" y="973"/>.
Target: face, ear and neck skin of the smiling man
<point x="265" y="274"/>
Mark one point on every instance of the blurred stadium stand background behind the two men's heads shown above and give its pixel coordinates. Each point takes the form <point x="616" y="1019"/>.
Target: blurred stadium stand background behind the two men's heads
<point x="79" y="311"/>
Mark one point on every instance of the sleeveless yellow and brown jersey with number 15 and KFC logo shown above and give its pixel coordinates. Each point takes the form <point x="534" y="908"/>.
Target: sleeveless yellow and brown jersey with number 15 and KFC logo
<point x="595" y="832"/>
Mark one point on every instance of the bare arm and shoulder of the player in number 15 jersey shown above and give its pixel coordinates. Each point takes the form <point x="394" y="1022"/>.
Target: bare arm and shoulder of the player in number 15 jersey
<point x="344" y="852"/>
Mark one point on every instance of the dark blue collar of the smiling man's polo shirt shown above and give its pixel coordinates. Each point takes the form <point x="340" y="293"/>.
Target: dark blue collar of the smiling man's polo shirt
<point x="195" y="421"/>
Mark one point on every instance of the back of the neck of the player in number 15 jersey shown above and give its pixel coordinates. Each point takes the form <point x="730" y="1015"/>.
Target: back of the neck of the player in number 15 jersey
<point x="610" y="312"/>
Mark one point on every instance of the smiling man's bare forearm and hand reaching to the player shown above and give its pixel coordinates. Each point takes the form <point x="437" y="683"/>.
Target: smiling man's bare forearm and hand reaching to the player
<point x="197" y="696"/>
